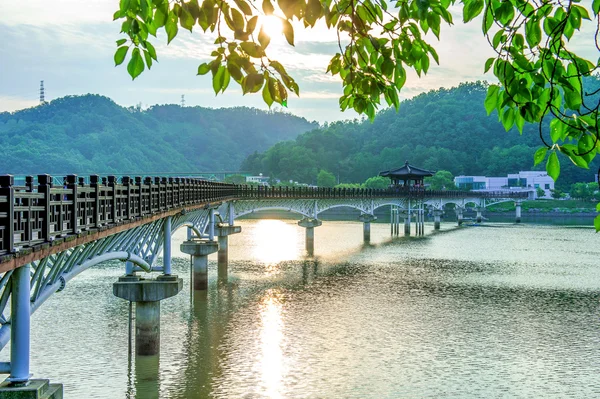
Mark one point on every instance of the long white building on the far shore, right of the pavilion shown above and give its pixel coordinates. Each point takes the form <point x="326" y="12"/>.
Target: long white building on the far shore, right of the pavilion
<point x="522" y="181"/>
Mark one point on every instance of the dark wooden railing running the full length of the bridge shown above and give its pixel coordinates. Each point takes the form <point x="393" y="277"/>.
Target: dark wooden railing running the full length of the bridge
<point x="37" y="214"/>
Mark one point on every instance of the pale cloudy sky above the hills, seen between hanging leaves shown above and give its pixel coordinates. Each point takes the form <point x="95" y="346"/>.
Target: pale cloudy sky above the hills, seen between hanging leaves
<point x="70" y="45"/>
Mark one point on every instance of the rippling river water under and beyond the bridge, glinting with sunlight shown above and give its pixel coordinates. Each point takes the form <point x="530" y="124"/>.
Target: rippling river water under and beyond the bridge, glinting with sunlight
<point x="496" y="311"/>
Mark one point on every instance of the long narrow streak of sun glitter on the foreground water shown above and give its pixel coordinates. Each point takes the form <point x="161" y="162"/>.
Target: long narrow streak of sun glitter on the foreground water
<point x="271" y="363"/>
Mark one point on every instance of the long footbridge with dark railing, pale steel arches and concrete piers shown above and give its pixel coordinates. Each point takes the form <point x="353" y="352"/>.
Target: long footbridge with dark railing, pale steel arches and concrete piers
<point x="49" y="234"/>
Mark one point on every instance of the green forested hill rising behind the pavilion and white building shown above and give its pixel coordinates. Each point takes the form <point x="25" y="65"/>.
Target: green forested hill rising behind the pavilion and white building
<point x="442" y="129"/>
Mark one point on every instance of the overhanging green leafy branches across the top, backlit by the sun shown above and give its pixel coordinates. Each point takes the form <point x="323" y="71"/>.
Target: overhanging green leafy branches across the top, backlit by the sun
<point x="538" y="75"/>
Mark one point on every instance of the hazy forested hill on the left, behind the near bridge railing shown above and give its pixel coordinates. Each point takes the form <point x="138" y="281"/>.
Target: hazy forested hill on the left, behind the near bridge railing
<point x="92" y="134"/>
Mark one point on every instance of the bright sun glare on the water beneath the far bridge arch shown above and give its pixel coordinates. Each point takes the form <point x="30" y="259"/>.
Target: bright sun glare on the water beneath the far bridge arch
<point x="274" y="242"/>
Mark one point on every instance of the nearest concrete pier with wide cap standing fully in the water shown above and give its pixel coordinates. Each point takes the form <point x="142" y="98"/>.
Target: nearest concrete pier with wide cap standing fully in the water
<point x="147" y="295"/>
